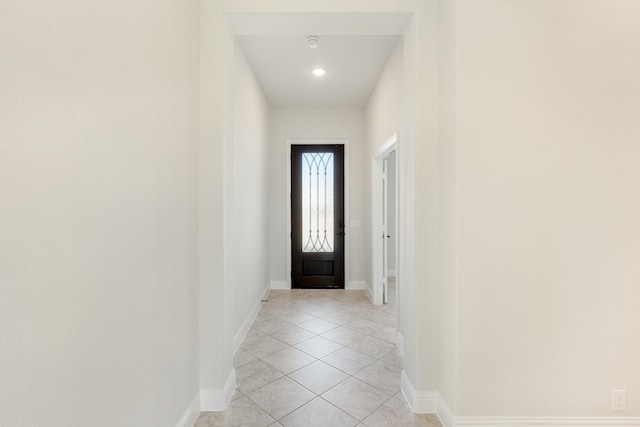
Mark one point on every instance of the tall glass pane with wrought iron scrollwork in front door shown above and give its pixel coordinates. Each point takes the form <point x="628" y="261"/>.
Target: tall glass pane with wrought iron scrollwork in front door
<point x="317" y="202"/>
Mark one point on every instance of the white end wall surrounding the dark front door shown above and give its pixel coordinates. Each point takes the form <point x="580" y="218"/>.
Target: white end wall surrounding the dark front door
<point x="338" y="123"/>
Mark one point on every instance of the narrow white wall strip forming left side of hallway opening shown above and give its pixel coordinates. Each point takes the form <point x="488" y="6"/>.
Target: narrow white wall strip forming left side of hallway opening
<point x="215" y="209"/>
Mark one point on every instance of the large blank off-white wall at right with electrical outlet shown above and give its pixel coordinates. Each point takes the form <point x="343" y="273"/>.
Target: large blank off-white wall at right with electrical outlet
<point x="548" y="100"/>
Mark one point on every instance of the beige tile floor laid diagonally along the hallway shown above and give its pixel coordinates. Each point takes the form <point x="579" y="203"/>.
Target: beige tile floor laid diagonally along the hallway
<point x="324" y="358"/>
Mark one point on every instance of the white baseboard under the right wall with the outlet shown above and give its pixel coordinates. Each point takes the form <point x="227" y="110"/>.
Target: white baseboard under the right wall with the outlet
<point x="545" y="421"/>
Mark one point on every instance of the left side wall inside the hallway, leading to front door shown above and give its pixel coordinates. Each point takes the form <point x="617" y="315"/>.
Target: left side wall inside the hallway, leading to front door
<point x="250" y="192"/>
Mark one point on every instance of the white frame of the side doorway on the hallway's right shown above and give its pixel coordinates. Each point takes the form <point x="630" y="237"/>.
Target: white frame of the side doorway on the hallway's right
<point x="376" y="220"/>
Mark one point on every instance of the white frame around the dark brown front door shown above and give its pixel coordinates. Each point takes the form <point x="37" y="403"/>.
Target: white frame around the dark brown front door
<point x="345" y="143"/>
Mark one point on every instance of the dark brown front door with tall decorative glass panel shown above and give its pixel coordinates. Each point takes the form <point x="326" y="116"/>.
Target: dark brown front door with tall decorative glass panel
<point x="317" y="216"/>
